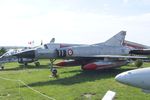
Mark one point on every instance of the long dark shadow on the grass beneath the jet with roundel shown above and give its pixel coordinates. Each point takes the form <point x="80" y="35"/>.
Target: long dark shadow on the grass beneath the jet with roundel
<point x="83" y="76"/>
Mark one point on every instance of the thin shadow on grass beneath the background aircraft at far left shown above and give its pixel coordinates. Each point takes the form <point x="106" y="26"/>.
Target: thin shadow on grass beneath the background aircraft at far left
<point x="21" y="67"/>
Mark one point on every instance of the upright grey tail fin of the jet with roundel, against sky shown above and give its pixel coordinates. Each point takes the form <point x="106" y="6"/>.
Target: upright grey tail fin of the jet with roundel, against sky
<point x="116" y="40"/>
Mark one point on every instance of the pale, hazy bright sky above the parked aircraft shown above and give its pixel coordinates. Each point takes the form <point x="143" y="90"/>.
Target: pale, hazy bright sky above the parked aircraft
<point x="73" y="21"/>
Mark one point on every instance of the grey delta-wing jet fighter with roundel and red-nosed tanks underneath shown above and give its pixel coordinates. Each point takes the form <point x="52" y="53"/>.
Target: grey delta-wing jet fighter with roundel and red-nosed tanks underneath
<point x="109" y="54"/>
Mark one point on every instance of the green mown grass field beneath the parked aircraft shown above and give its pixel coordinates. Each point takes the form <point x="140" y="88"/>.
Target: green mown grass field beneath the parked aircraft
<point x="72" y="84"/>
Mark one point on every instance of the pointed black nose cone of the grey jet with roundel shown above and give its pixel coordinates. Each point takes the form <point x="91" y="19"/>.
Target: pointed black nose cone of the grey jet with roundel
<point x="26" y="54"/>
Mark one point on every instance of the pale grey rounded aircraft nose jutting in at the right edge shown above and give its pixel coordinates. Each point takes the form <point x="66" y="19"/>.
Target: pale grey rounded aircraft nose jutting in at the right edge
<point x="139" y="78"/>
